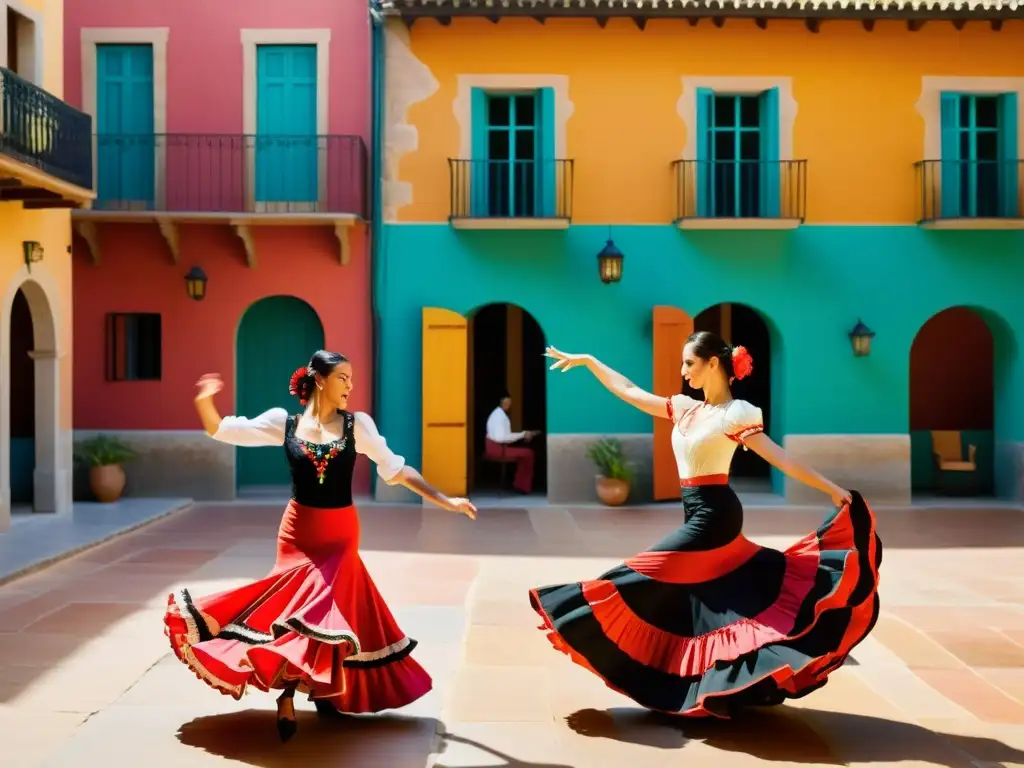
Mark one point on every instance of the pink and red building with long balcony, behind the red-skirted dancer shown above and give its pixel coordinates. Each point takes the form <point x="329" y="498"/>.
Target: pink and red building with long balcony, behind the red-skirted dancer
<point x="232" y="159"/>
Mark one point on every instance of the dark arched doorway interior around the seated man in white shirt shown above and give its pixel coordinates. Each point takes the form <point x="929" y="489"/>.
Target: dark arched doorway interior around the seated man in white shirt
<point x="506" y="357"/>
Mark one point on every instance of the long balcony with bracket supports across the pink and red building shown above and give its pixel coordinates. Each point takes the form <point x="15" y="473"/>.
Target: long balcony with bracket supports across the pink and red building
<point x="240" y="181"/>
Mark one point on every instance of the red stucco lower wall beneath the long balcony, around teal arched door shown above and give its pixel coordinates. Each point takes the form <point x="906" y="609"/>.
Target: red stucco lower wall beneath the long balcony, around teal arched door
<point x="136" y="275"/>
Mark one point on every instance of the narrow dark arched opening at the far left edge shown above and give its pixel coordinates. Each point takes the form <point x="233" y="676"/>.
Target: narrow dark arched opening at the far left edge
<point x="23" y="402"/>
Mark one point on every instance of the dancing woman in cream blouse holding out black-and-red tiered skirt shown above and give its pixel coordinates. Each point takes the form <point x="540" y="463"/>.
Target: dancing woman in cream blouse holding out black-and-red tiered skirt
<point x="706" y="621"/>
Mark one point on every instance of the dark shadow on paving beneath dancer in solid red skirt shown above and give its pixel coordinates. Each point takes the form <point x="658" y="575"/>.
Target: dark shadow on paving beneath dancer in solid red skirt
<point x="251" y="738"/>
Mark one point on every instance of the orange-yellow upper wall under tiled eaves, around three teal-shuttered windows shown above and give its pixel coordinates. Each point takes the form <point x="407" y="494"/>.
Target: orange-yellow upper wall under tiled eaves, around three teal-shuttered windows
<point x="857" y="92"/>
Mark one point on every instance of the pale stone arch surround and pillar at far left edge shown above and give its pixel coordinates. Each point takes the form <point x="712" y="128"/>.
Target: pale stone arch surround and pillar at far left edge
<point x="51" y="453"/>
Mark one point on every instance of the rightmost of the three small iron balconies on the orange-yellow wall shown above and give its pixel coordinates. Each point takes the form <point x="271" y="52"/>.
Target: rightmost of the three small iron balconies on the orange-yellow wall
<point x="971" y="195"/>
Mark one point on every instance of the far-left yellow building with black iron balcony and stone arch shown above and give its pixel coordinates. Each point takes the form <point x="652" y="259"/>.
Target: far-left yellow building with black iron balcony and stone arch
<point x="46" y="160"/>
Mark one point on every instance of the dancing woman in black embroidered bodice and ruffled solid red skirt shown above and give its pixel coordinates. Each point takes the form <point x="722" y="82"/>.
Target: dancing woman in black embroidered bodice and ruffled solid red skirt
<point x="316" y="623"/>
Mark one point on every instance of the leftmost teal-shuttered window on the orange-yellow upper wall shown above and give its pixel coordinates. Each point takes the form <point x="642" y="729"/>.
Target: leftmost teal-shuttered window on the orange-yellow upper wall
<point x="515" y="169"/>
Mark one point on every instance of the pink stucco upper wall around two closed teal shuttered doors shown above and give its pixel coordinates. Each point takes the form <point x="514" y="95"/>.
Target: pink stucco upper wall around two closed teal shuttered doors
<point x="204" y="55"/>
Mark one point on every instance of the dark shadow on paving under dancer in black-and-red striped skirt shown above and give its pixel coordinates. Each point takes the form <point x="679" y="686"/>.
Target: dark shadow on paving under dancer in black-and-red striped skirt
<point x="798" y="736"/>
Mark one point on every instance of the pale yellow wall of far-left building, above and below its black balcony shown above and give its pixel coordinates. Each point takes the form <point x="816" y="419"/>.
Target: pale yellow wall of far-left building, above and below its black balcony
<point x="52" y="229"/>
